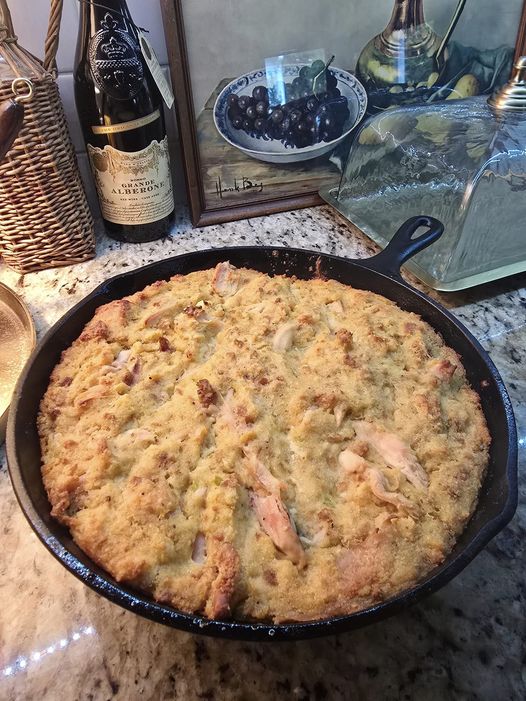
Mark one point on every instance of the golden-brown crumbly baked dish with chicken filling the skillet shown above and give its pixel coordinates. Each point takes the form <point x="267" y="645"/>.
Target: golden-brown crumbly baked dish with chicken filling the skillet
<point x="265" y="448"/>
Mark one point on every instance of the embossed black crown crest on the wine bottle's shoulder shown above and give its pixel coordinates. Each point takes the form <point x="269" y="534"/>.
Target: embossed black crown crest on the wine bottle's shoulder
<point x="114" y="60"/>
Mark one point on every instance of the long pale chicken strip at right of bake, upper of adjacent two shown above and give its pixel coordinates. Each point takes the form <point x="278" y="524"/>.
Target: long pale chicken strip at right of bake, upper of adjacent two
<point x="394" y="451"/>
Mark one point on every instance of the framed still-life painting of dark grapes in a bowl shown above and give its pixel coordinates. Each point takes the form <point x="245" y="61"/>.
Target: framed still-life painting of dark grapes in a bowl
<point x="240" y="162"/>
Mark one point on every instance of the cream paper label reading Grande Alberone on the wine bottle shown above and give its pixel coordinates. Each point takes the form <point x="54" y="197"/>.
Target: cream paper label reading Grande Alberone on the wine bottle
<point x="134" y="187"/>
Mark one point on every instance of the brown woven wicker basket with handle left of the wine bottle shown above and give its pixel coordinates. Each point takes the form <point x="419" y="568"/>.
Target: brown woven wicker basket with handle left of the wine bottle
<point x="45" y="220"/>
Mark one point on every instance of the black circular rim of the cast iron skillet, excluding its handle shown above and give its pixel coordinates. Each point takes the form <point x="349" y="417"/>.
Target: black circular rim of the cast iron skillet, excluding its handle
<point x="241" y="630"/>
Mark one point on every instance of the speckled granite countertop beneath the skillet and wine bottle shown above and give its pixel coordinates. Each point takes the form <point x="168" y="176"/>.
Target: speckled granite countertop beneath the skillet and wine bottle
<point x="60" y="640"/>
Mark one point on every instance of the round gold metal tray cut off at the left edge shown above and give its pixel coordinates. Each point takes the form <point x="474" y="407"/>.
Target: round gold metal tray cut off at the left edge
<point x="17" y="340"/>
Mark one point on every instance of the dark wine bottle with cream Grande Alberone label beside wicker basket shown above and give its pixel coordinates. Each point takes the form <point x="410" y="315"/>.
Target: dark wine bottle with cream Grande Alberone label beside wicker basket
<point x="121" y="114"/>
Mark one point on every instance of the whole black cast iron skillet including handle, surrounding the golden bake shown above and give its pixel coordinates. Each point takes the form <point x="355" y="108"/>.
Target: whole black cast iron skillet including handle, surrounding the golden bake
<point x="381" y="274"/>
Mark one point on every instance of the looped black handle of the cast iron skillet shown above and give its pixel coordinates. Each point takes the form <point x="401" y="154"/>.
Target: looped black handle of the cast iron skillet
<point x="402" y="246"/>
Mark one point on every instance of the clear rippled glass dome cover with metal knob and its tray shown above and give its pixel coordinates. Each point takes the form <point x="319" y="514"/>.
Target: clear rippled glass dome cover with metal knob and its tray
<point x="461" y="161"/>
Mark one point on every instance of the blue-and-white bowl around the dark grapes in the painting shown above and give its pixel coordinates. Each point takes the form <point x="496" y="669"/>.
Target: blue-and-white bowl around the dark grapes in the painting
<point x="273" y="150"/>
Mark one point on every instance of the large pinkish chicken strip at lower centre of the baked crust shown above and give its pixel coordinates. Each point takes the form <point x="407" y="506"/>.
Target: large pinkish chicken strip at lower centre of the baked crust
<point x="277" y="524"/>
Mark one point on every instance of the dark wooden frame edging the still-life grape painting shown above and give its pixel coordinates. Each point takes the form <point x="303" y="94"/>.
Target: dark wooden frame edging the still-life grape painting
<point x="200" y="213"/>
